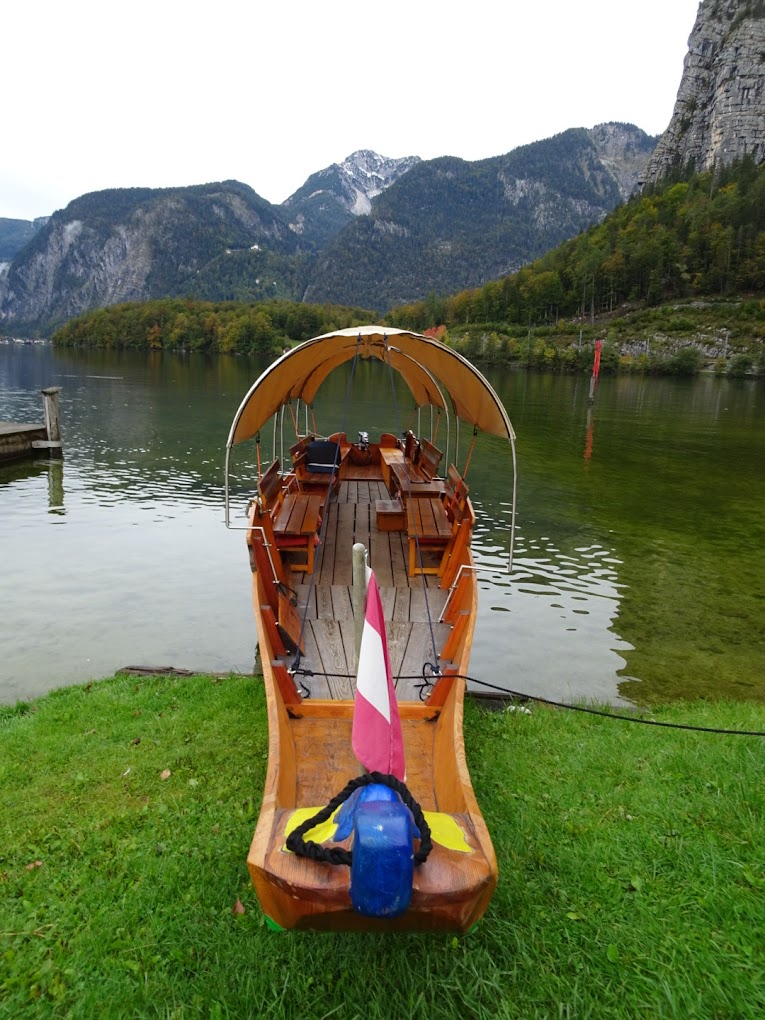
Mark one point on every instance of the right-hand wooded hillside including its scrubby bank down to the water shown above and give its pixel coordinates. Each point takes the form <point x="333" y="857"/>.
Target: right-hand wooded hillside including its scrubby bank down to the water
<point x="673" y="282"/>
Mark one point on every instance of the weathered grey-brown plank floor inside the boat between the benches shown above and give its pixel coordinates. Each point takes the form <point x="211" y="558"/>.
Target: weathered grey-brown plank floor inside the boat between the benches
<point x="410" y="604"/>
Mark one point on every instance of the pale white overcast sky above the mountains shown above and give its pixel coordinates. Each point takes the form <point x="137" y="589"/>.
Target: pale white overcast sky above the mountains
<point x="157" y="94"/>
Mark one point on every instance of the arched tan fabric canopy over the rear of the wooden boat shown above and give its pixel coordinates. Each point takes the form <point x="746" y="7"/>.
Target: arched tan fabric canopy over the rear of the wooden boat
<point x="299" y="374"/>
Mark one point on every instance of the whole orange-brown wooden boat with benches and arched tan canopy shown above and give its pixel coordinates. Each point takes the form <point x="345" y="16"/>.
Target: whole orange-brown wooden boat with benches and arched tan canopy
<point x="417" y="526"/>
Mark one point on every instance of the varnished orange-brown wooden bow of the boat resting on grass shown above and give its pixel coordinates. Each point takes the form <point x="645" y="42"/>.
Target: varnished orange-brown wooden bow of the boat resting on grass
<point x="311" y="761"/>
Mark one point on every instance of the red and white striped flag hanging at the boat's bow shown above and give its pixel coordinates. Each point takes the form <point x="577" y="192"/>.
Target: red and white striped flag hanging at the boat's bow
<point x="377" y="739"/>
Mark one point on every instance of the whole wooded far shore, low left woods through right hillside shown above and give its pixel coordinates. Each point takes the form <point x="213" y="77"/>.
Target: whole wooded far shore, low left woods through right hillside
<point x="673" y="281"/>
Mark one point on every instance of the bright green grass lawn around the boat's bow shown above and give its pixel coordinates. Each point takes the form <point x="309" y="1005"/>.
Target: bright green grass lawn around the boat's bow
<point x="632" y="869"/>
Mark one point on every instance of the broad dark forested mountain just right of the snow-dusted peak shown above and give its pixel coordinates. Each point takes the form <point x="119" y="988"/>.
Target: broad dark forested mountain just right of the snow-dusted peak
<point x="449" y="225"/>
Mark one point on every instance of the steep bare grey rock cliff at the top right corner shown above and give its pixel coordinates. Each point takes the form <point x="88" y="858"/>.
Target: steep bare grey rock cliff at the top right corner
<point x="720" y="115"/>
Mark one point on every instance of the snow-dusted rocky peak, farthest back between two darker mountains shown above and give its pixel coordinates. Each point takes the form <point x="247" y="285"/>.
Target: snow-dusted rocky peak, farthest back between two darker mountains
<point x="333" y="197"/>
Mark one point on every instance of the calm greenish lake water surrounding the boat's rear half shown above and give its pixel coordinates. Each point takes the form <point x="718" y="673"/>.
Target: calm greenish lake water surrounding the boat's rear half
<point x="640" y="566"/>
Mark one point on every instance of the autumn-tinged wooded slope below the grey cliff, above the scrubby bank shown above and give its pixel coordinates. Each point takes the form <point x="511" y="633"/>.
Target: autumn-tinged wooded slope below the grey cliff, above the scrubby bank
<point x="704" y="237"/>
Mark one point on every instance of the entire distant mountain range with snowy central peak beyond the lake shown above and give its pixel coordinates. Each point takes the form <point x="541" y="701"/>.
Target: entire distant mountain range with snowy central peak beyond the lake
<point x="371" y="231"/>
